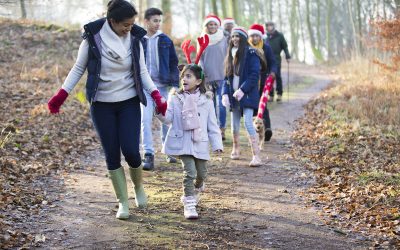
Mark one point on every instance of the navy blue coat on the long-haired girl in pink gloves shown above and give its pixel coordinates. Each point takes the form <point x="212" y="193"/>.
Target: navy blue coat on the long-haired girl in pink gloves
<point x="248" y="80"/>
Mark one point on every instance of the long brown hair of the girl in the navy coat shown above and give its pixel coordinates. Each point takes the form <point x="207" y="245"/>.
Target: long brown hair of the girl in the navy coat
<point x="232" y="65"/>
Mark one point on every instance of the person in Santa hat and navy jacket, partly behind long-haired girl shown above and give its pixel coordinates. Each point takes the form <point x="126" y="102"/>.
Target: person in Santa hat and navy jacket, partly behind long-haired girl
<point x="256" y="34"/>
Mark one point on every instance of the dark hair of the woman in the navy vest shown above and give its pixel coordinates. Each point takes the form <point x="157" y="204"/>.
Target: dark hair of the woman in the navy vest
<point x="119" y="10"/>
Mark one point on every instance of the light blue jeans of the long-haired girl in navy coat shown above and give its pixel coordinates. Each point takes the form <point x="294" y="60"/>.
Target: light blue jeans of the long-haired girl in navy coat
<point x="248" y="119"/>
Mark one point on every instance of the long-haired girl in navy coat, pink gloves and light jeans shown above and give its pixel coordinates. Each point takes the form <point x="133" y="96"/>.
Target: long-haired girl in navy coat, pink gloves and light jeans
<point x="240" y="92"/>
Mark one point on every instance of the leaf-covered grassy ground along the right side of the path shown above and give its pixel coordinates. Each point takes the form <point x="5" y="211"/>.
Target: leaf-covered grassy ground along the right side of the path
<point x="350" y="140"/>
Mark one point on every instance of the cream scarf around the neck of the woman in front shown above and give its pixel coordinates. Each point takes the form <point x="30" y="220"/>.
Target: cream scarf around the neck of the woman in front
<point x="115" y="48"/>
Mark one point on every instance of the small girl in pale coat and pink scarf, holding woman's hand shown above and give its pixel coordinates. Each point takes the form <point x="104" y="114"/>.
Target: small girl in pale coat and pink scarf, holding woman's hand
<point x="194" y="125"/>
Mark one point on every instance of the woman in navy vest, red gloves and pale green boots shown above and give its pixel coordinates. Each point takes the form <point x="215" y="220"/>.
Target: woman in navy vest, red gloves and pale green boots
<point x="117" y="78"/>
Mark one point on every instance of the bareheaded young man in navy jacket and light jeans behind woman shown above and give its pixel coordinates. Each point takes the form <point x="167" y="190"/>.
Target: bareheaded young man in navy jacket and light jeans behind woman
<point x="162" y="64"/>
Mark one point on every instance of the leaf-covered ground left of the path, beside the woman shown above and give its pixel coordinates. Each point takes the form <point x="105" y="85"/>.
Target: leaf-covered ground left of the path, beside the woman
<point x="35" y="148"/>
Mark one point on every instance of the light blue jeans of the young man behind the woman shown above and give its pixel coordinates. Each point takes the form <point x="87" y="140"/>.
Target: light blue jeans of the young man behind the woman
<point x="147" y="122"/>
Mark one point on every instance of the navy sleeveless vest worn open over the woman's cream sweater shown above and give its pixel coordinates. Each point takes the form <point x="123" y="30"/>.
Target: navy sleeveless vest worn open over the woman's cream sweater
<point x="92" y="34"/>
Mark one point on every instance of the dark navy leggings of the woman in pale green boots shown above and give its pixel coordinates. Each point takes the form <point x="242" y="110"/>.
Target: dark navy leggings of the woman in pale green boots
<point x="118" y="126"/>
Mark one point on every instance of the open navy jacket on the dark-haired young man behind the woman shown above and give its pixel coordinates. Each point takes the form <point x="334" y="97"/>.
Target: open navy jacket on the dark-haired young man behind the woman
<point x="168" y="60"/>
